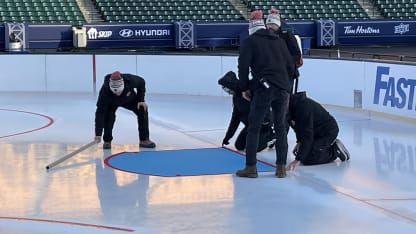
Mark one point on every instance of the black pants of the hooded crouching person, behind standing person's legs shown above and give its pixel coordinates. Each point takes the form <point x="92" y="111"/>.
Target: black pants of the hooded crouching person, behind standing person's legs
<point x="266" y="135"/>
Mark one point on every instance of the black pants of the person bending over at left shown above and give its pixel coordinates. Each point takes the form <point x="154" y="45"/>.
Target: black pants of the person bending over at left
<point x="142" y="121"/>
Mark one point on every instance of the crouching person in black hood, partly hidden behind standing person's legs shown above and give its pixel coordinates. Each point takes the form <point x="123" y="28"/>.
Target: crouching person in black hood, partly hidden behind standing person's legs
<point x="241" y="108"/>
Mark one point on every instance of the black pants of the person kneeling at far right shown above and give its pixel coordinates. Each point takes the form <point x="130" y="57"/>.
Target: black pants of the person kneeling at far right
<point x="322" y="148"/>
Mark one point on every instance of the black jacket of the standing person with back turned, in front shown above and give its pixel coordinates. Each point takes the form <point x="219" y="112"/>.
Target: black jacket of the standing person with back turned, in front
<point x="266" y="54"/>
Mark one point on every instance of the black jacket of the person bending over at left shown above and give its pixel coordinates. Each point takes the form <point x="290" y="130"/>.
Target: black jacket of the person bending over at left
<point x="134" y="92"/>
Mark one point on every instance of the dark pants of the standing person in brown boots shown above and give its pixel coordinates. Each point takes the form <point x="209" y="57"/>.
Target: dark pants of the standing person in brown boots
<point x="263" y="99"/>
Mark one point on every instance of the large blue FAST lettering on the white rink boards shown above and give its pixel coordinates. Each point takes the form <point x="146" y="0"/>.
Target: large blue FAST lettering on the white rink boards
<point x="393" y="91"/>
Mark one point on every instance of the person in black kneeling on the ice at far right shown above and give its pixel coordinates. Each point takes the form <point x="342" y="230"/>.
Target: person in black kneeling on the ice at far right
<point x="316" y="133"/>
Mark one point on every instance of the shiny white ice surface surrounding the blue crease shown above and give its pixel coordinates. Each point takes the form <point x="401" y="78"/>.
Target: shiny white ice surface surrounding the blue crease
<point x="374" y="192"/>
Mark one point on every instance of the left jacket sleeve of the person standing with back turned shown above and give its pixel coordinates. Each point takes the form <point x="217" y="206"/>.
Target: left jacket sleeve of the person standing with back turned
<point x="244" y="61"/>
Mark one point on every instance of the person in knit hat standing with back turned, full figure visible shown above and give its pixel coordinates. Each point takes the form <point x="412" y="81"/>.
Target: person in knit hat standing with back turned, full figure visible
<point x="266" y="55"/>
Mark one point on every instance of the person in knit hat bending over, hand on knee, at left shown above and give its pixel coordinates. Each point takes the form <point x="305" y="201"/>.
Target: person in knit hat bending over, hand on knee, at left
<point x="121" y="90"/>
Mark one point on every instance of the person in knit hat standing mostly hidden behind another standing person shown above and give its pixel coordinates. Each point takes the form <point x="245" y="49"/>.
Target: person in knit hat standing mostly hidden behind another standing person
<point x="273" y="23"/>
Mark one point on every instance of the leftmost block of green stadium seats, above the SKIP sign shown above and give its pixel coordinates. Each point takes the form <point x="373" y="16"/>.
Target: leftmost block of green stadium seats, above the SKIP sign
<point x="41" y="11"/>
